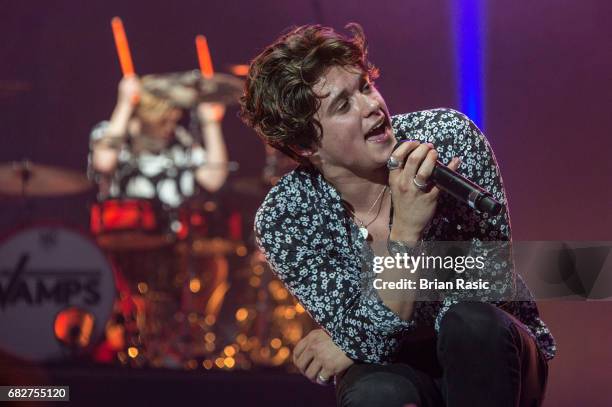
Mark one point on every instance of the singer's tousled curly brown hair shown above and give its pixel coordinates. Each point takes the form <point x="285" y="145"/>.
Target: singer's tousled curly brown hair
<point x="279" y="102"/>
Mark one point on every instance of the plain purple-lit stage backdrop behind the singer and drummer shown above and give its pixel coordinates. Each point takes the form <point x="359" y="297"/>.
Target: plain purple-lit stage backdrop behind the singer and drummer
<point x="548" y="85"/>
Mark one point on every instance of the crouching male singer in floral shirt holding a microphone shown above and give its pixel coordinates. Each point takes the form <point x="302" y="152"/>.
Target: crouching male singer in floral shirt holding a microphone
<point x="311" y="95"/>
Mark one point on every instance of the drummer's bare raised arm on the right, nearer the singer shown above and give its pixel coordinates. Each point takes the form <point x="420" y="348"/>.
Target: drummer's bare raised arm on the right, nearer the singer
<point x="211" y="176"/>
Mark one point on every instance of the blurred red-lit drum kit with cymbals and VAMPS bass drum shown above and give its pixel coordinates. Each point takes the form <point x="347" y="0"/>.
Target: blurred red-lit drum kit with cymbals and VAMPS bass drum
<point x="145" y="286"/>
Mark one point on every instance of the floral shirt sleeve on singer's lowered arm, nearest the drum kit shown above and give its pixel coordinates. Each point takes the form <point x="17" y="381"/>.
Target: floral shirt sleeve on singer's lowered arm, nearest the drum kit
<point x="326" y="283"/>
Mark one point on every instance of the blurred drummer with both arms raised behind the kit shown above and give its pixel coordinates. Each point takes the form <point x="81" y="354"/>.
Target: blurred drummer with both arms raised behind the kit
<point x="142" y="152"/>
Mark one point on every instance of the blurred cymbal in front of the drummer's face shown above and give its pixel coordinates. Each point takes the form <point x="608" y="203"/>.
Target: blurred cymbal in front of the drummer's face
<point x="186" y="89"/>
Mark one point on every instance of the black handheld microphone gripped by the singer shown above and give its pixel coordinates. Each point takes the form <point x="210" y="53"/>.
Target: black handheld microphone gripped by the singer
<point x="463" y="189"/>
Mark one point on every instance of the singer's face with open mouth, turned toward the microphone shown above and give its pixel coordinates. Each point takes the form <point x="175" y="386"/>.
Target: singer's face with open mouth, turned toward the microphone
<point x="357" y="134"/>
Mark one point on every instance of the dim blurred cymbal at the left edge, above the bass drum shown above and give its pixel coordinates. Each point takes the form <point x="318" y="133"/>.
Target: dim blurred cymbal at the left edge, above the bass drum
<point x="29" y="179"/>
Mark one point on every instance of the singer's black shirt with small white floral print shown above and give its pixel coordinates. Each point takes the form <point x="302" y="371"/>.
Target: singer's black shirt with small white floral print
<point x="314" y="246"/>
